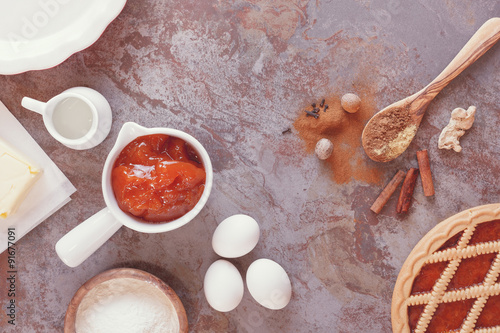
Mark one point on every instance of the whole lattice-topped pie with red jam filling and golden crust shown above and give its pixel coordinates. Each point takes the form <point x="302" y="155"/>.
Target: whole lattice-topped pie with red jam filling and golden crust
<point x="450" y="281"/>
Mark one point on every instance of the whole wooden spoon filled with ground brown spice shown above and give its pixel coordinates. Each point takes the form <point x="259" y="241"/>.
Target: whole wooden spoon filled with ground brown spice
<point x="390" y="131"/>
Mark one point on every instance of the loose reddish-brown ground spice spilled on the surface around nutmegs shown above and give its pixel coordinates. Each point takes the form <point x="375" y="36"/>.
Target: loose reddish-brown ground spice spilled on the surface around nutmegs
<point x="348" y="160"/>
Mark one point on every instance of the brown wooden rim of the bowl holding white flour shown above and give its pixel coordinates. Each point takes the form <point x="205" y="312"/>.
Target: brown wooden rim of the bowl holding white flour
<point x="71" y="313"/>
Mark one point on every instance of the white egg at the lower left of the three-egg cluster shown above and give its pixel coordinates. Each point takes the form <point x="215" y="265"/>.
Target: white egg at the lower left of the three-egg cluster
<point x="223" y="286"/>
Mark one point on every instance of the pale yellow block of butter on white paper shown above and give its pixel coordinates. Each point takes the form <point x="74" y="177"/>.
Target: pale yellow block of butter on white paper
<point x="17" y="176"/>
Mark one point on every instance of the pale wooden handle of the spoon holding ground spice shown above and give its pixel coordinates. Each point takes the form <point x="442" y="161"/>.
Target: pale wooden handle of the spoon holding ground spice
<point x="484" y="38"/>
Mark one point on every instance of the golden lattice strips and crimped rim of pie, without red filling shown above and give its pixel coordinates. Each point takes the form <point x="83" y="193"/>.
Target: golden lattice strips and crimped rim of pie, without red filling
<point x="425" y="252"/>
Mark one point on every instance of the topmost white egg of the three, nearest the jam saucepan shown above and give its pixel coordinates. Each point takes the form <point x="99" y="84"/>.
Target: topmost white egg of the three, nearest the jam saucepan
<point x="235" y="236"/>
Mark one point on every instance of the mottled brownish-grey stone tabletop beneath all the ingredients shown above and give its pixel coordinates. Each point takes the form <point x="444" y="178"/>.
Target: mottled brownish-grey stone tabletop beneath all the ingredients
<point x="235" y="74"/>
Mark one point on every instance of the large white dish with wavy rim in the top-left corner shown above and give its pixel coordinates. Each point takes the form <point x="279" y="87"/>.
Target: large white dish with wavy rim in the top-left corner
<point x="39" y="34"/>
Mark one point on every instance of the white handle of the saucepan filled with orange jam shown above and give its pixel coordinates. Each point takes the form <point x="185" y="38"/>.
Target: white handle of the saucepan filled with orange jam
<point x="78" y="244"/>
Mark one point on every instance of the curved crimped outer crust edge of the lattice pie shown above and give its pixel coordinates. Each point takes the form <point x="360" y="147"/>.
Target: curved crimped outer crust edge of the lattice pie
<point x="432" y="241"/>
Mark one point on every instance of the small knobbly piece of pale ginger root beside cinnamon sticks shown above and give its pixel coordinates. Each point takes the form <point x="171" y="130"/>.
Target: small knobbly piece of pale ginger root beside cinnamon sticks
<point x="460" y="121"/>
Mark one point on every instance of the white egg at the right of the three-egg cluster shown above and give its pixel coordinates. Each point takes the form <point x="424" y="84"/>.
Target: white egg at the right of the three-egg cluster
<point x="269" y="284"/>
